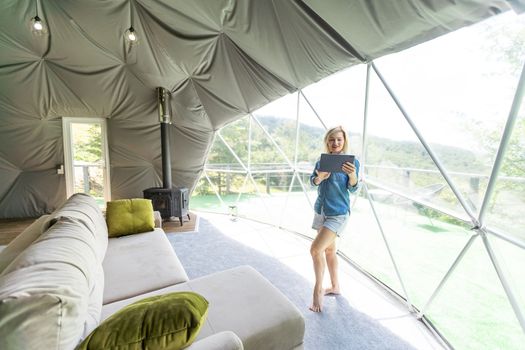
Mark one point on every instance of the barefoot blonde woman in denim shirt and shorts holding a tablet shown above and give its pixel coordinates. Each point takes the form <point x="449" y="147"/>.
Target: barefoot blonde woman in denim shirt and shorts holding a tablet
<point x="332" y="209"/>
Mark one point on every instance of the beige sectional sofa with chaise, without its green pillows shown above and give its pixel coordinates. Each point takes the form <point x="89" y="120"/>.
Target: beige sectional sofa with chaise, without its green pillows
<point x="62" y="277"/>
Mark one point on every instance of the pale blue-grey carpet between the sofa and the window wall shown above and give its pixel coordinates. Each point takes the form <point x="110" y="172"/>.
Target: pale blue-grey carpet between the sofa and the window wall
<point x="339" y="326"/>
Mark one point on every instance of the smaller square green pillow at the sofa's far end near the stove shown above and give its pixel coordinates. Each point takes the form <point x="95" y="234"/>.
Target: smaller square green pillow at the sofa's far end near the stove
<point x="129" y="216"/>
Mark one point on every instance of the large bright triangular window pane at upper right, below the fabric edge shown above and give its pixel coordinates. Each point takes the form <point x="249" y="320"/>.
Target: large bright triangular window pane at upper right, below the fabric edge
<point x="459" y="102"/>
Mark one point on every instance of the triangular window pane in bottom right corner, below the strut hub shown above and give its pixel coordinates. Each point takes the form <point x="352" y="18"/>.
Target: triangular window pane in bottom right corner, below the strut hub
<point x="472" y="310"/>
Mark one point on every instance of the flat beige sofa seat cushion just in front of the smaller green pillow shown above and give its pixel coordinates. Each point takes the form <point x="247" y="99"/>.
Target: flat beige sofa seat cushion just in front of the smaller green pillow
<point x="138" y="264"/>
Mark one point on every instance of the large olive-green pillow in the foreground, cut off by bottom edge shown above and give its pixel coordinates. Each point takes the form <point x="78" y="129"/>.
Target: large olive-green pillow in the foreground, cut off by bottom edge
<point x="170" y="321"/>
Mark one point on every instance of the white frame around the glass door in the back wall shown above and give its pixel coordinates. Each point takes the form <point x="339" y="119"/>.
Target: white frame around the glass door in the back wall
<point x="68" y="156"/>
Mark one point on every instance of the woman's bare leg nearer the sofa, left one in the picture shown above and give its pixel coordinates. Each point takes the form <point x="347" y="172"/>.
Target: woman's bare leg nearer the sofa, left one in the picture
<point x="324" y="239"/>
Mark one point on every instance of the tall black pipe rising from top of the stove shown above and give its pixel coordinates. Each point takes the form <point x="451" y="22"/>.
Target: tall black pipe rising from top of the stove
<point x="164" y="106"/>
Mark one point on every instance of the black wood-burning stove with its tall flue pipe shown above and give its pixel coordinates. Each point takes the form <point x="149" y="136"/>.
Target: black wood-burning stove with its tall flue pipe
<point x="169" y="201"/>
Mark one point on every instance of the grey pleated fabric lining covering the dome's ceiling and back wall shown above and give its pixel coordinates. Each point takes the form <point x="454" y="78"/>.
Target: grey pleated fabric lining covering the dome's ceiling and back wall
<point x="220" y="59"/>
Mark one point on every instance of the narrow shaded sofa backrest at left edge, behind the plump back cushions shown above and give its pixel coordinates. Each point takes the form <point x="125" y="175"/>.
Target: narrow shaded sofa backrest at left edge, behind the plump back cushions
<point x="22" y="241"/>
